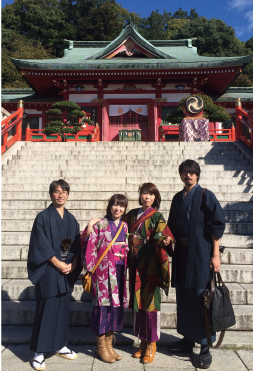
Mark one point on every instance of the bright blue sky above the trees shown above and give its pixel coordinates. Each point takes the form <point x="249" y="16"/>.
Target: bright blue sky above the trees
<point x="235" y="13"/>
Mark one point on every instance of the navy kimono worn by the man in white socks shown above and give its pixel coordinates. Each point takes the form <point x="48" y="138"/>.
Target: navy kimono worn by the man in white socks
<point x="53" y="288"/>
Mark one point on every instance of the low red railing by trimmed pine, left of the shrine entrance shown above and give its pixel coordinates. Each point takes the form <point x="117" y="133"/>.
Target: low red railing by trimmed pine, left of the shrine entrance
<point x="89" y="134"/>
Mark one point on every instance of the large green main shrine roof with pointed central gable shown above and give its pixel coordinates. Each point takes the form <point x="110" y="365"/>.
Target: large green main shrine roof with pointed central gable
<point x="169" y="54"/>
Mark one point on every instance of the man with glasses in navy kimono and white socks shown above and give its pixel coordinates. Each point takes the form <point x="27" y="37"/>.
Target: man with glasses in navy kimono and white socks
<point x="53" y="267"/>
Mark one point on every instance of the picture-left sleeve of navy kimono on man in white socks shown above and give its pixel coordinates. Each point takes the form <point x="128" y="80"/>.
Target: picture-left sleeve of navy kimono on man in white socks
<point x="40" y="250"/>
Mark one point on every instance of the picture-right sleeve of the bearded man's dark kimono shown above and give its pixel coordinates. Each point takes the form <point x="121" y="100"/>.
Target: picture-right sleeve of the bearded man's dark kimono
<point x="213" y="214"/>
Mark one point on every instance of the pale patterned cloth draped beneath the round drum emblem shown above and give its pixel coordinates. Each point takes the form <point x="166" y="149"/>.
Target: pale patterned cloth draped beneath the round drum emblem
<point x="191" y="130"/>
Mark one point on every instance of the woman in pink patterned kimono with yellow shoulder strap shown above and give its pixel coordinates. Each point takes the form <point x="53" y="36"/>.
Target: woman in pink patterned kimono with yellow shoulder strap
<point x="109" y="279"/>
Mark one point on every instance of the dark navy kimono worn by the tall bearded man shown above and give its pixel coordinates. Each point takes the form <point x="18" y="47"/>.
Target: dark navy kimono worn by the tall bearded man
<point x="196" y="218"/>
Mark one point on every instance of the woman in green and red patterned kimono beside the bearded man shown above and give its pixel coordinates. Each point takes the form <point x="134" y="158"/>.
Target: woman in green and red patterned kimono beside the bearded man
<point x="150" y="244"/>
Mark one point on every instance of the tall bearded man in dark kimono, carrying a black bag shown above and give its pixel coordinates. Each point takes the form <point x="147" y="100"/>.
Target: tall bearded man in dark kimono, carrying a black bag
<point x="197" y="223"/>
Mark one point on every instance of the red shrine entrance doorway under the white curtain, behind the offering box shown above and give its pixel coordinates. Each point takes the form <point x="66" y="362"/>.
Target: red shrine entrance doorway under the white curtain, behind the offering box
<point x="128" y="120"/>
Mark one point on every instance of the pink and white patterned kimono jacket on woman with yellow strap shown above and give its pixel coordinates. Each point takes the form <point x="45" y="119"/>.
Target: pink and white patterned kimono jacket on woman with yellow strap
<point x="104" y="278"/>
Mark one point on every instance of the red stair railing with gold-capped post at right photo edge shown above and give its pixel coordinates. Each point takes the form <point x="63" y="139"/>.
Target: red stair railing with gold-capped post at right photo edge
<point x="244" y="126"/>
